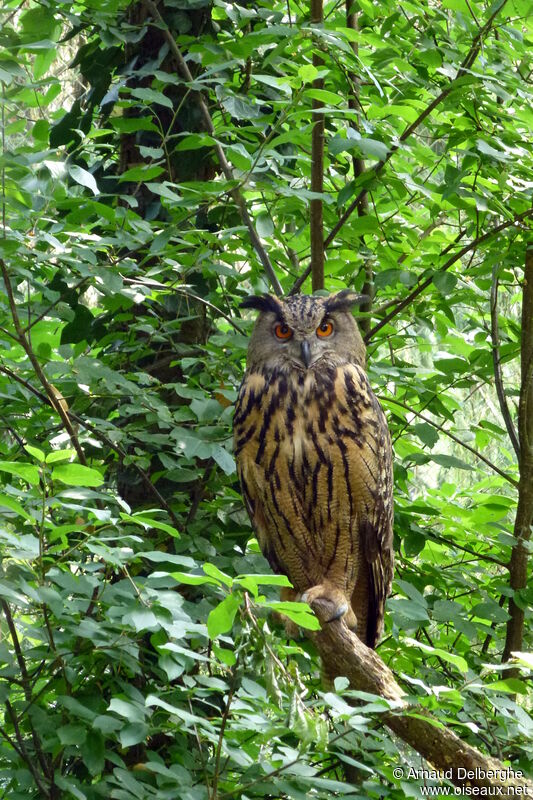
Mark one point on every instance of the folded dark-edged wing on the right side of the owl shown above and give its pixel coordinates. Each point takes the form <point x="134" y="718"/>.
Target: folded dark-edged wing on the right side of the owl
<point x="371" y="451"/>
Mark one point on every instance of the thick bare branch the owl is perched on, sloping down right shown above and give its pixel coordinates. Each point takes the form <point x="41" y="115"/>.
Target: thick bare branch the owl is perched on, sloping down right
<point x="344" y="654"/>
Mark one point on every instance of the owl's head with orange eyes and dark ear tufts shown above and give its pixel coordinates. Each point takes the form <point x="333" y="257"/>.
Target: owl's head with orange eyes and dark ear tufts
<point x="305" y="332"/>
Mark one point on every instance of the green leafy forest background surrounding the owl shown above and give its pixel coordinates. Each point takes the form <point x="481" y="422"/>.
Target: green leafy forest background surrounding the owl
<point x="159" y="162"/>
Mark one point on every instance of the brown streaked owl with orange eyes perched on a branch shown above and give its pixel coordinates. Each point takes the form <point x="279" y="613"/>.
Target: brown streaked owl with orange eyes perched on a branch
<point x="314" y="457"/>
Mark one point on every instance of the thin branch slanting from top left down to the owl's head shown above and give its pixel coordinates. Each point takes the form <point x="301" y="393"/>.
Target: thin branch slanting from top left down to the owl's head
<point x="224" y="163"/>
